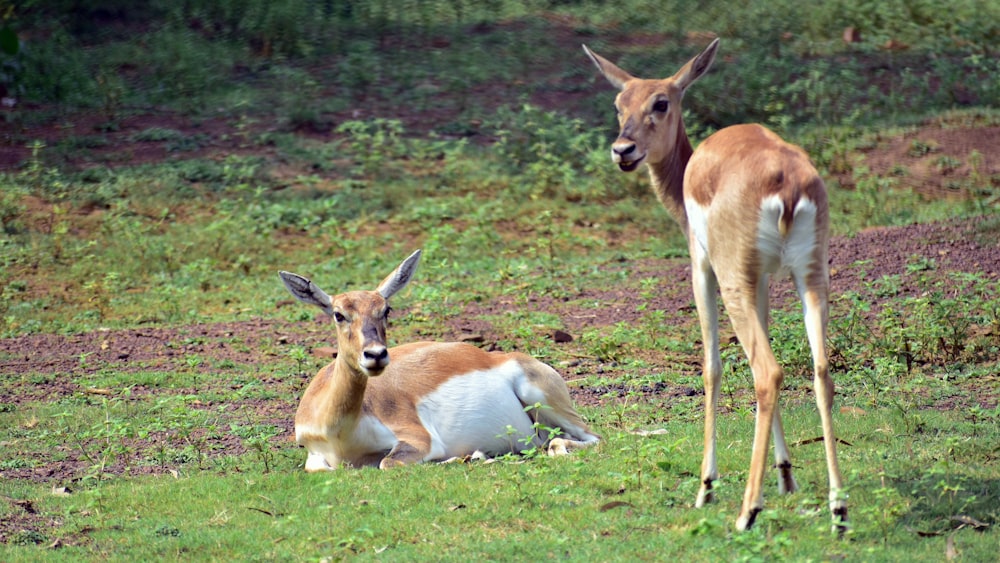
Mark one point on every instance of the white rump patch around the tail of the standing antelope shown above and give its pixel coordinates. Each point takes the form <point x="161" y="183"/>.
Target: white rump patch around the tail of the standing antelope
<point x="792" y="252"/>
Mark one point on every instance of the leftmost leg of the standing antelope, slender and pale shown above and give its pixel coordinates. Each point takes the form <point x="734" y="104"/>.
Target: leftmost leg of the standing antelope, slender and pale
<point x="705" y="287"/>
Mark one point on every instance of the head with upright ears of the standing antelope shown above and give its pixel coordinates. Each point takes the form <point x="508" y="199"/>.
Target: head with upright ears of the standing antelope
<point x="649" y="110"/>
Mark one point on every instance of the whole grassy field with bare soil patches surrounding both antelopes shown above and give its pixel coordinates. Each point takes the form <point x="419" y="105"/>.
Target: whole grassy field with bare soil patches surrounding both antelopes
<point x="161" y="163"/>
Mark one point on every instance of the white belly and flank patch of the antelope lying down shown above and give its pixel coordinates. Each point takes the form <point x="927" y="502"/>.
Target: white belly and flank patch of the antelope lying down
<point x="472" y="412"/>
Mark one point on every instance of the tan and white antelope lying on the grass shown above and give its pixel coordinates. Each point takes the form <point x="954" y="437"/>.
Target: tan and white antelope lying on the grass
<point x="425" y="400"/>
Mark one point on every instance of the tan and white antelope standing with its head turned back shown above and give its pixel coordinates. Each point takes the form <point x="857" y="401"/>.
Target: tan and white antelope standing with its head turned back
<point x="751" y="206"/>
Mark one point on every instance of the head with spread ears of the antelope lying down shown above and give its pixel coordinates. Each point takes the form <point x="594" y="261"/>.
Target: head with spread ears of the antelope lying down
<point x="361" y="317"/>
